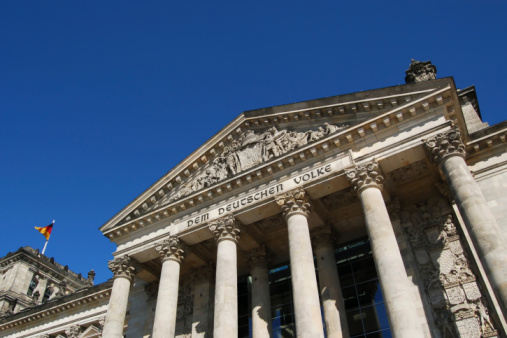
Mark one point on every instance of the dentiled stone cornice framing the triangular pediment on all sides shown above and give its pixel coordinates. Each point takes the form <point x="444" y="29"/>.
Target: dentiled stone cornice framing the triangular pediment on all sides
<point x="340" y="141"/>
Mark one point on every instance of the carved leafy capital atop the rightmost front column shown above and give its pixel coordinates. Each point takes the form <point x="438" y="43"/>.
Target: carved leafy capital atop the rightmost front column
<point x="445" y="145"/>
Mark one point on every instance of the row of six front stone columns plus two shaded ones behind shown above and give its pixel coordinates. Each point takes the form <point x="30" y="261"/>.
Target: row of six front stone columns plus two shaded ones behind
<point x="446" y="150"/>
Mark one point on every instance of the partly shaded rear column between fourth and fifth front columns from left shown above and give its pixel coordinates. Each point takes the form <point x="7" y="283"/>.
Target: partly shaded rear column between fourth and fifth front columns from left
<point x="330" y="289"/>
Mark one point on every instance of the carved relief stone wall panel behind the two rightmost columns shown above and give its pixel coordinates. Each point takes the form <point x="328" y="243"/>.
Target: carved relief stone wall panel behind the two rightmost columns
<point x="459" y="308"/>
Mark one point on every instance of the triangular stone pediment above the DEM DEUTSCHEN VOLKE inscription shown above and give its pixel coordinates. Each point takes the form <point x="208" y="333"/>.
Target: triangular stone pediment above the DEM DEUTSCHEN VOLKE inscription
<point x="259" y="138"/>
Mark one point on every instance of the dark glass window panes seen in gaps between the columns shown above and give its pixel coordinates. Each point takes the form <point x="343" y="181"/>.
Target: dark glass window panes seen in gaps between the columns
<point x="364" y="304"/>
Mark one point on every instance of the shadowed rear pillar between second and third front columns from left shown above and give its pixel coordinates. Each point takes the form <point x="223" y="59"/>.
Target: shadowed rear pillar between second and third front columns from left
<point x="201" y="308"/>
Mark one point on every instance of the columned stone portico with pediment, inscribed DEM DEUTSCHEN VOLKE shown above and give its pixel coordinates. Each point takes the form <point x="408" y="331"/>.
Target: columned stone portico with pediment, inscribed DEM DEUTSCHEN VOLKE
<point x="371" y="214"/>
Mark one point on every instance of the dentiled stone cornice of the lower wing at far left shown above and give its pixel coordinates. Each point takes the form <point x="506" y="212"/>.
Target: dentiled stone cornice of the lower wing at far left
<point x="51" y="308"/>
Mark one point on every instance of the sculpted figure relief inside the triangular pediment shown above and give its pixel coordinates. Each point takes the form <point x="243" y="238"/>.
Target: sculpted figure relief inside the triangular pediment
<point x="250" y="150"/>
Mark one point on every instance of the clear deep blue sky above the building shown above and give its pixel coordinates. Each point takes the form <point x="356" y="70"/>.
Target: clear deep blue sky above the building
<point x="99" y="99"/>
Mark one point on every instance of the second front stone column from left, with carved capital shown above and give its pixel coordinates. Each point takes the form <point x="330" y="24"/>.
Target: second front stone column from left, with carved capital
<point x="171" y="253"/>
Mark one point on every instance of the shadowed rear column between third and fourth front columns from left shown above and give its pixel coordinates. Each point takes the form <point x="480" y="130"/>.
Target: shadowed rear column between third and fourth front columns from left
<point x="261" y="302"/>
